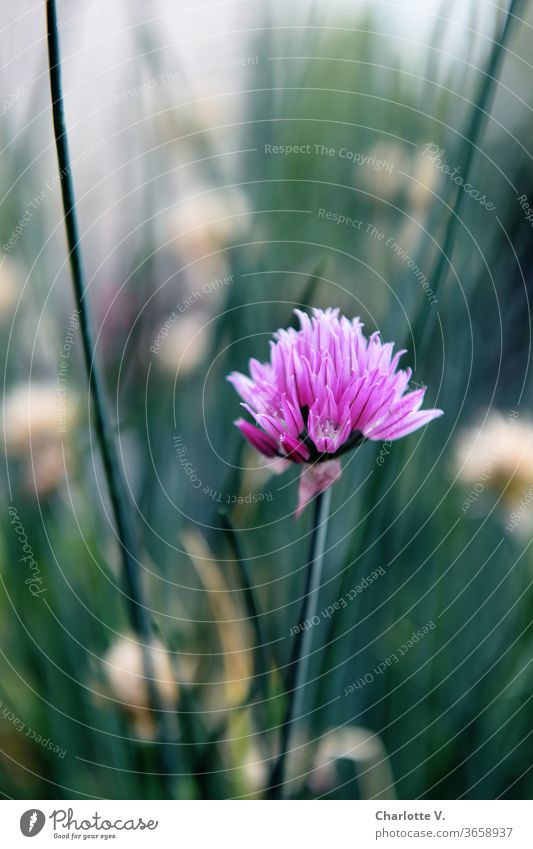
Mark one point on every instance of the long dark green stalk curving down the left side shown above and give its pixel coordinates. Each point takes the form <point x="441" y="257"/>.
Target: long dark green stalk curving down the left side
<point x="130" y="563"/>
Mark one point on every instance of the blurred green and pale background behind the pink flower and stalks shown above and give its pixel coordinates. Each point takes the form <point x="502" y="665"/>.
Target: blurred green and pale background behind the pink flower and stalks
<point x="234" y="160"/>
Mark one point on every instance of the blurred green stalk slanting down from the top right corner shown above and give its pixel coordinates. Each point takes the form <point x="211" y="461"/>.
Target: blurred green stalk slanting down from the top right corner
<point x="423" y="325"/>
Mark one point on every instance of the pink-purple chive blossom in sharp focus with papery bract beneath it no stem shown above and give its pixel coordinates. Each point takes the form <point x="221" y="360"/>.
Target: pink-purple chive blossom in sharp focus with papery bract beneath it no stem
<point x="326" y="389"/>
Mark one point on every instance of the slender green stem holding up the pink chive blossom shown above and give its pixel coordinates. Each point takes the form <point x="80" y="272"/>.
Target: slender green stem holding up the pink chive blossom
<point x="299" y="663"/>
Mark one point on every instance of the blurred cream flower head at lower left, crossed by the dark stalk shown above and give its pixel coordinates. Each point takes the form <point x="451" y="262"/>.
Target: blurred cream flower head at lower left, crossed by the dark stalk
<point x="125" y="674"/>
